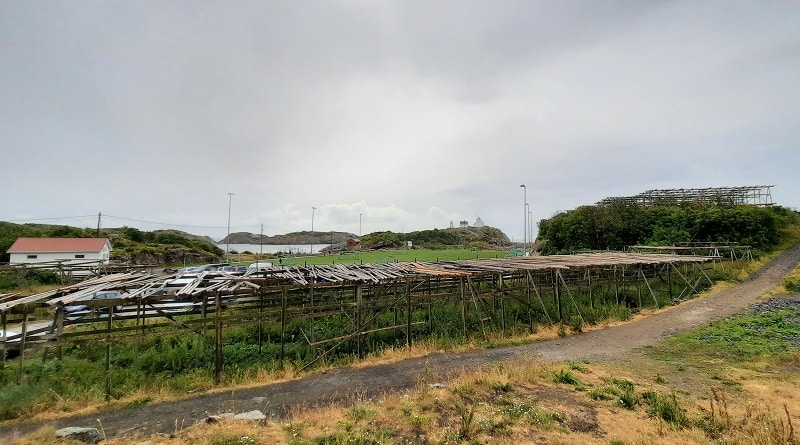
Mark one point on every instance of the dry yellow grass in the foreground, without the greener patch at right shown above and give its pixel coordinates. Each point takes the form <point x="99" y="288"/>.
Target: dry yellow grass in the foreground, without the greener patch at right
<point x="474" y="406"/>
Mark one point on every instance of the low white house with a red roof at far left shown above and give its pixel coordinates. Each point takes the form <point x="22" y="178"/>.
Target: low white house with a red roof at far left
<point x="65" y="250"/>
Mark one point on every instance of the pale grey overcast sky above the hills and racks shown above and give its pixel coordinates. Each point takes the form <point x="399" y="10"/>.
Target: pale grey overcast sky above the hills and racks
<point x="386" y="115"/>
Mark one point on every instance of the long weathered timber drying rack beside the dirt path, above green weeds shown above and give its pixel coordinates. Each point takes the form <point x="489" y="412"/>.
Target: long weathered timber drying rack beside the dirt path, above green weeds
<point x="395" y="300"/>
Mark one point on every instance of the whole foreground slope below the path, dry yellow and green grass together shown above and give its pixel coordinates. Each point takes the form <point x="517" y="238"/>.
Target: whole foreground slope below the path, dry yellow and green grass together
<point x="696" y="388"/>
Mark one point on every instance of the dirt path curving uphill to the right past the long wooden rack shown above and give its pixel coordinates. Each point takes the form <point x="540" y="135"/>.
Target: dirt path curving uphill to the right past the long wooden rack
<point x="352" y="384"/>
